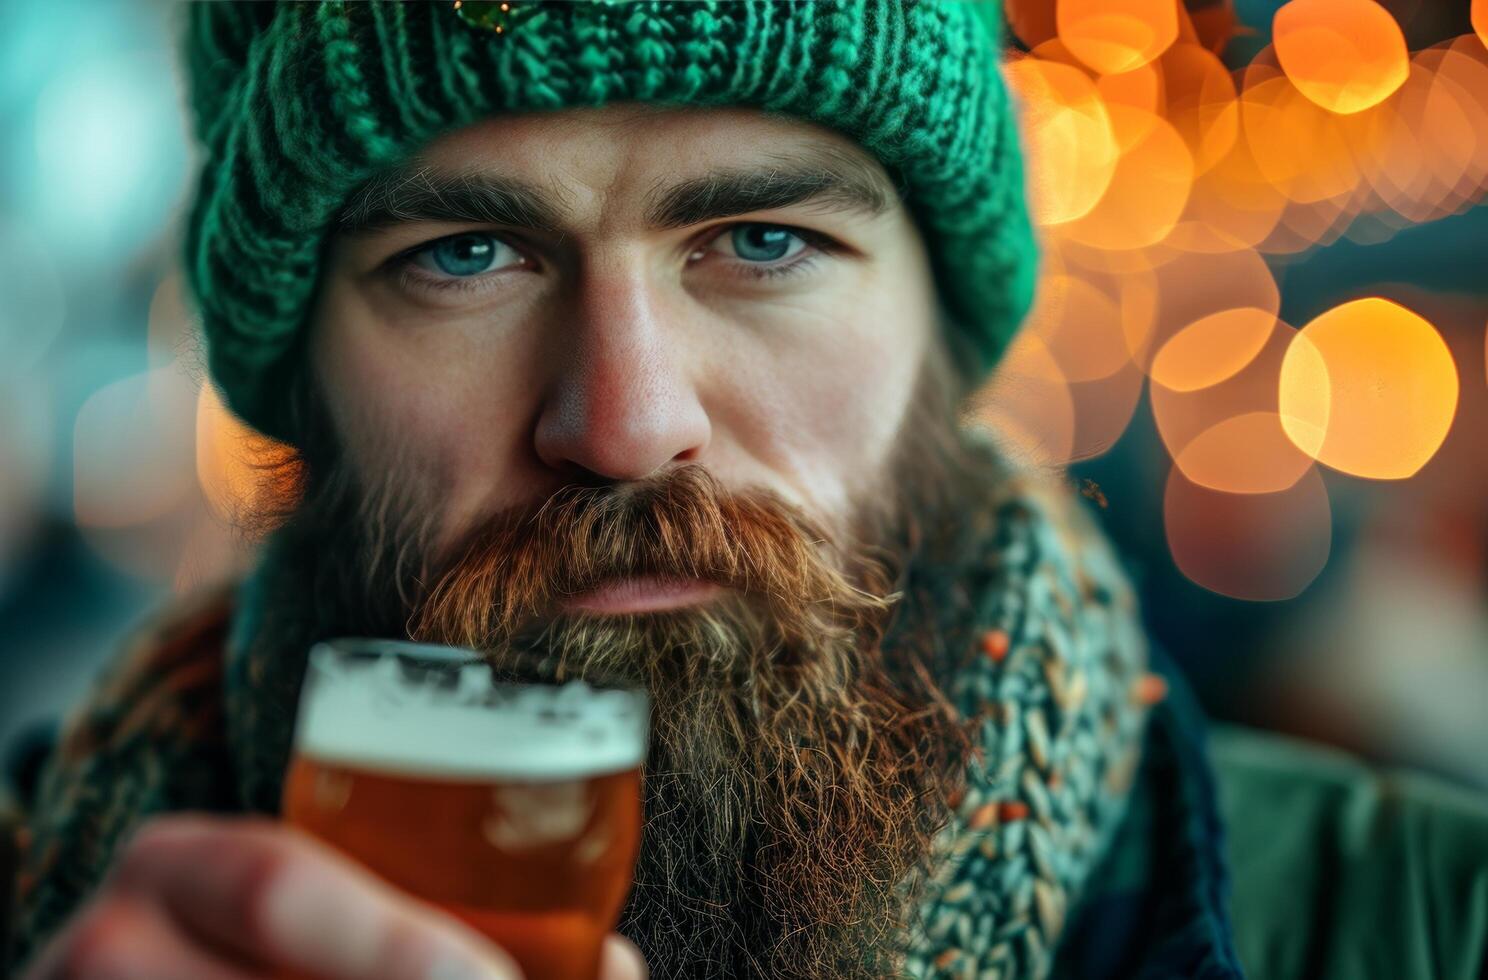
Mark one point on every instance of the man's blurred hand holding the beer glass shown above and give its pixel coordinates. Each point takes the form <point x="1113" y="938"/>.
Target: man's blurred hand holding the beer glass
<point x="228" y="899"/>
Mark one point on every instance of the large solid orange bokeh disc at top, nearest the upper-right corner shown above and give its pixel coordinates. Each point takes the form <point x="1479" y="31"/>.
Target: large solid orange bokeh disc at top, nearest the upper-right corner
<point x="1344" y="56"/>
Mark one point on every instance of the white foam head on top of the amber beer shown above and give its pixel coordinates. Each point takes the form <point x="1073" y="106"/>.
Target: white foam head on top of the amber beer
<point x="432" y="713"/>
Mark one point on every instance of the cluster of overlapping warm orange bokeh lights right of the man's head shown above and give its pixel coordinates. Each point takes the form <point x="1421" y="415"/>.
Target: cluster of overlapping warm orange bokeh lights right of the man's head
<point x="1166" y="188"/>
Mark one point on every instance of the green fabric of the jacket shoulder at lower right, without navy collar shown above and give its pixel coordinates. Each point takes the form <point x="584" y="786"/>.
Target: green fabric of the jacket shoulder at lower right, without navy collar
<point x="1341" y="871"/>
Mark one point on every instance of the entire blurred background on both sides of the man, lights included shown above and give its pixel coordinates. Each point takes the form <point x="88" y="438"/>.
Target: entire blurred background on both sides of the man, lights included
<point x="1260" y="347"/>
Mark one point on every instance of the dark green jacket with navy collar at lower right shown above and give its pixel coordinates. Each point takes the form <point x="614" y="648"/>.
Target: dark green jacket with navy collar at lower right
<point x="1255" y="856"/>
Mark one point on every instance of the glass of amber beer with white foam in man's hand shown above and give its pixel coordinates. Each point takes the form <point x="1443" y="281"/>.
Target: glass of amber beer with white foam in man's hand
<point x="513" y="807"/>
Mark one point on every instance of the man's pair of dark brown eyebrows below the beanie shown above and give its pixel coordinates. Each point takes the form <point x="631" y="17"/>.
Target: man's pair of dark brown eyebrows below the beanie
<point x="828" y="179"/>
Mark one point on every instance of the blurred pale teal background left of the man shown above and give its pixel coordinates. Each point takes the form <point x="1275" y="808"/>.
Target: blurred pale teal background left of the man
<point x="96" y="503"/>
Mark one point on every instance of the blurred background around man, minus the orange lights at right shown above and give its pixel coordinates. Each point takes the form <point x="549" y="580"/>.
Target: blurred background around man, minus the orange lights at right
<point x="108" y="509"/>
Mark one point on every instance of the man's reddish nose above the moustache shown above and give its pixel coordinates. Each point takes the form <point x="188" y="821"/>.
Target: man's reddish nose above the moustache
<point x="623" y="401"/>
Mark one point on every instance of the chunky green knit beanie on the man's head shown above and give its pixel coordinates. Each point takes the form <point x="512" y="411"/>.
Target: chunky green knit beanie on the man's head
<point x="297" y="105"/>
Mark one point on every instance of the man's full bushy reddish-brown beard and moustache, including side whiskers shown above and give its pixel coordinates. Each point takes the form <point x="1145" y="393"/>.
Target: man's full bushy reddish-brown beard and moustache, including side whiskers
<point x="798" y="774"/>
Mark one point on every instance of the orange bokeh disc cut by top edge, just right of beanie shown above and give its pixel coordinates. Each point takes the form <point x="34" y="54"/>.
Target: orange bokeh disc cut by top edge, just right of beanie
<point x="1114" y="36"/>
